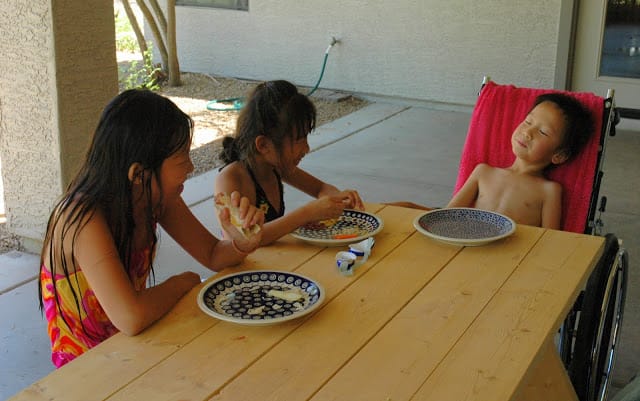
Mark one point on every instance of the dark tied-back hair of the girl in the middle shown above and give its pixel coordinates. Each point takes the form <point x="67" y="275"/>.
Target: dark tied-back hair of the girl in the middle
<point x="274" y="109"/>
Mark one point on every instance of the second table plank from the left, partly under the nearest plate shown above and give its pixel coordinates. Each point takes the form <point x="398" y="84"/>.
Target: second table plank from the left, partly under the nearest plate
<point x="226" y="349"/>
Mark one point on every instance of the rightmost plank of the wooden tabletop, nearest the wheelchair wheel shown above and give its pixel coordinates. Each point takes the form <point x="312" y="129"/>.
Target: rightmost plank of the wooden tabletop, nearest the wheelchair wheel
<point x="495" y="353"/>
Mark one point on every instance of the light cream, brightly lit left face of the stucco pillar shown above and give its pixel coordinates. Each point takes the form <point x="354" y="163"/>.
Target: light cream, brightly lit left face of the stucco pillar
<point x="28" y="118"/>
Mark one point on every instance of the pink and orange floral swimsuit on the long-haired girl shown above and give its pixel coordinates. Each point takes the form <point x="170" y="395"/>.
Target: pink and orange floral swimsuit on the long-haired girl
<point x="70" y="339"/>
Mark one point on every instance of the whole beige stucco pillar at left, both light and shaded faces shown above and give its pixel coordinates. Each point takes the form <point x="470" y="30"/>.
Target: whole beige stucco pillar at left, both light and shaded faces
<point x="57" y="71"/>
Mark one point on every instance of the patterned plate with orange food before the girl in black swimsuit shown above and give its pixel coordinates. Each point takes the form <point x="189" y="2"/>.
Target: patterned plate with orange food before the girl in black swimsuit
<point x="352" y="226"/>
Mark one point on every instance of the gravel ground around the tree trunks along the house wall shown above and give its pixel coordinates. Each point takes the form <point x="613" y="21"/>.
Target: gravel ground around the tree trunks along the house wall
<point x="210" y="126"/>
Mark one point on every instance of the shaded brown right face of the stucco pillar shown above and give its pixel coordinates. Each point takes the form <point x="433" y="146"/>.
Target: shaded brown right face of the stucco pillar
<point x="86" y="73"/>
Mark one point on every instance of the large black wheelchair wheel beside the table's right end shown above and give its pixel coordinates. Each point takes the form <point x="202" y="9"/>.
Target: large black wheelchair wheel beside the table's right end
<point x="590" y="349"/>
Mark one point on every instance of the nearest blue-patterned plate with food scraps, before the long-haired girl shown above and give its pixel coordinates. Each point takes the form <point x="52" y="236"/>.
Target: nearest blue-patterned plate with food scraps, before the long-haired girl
<point x="260" y="297"/>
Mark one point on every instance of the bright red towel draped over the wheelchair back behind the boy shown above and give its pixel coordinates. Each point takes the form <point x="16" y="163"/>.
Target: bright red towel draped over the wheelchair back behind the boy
<point x="500" y="108"/>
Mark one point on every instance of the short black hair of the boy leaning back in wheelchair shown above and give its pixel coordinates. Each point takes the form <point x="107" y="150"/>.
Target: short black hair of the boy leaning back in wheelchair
<point x="579" y="124"/>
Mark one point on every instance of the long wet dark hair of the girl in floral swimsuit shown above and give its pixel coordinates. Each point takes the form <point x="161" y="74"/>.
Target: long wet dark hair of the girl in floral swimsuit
<point x="137" y="126"/>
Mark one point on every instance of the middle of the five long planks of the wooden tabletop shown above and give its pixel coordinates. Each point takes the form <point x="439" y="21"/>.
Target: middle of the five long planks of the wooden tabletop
<point x="296" y="367"/>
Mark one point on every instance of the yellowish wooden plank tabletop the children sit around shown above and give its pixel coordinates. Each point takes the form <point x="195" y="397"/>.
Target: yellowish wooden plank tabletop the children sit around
<point x="420" y="320"/>
